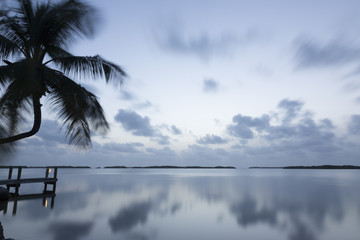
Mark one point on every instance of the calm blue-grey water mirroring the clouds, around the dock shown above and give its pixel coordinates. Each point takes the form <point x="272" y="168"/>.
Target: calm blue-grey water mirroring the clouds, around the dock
<point x="190" y="204"/>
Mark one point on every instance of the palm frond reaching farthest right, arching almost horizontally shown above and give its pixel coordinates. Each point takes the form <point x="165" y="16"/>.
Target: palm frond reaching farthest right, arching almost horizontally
<point x="93" y="67"/>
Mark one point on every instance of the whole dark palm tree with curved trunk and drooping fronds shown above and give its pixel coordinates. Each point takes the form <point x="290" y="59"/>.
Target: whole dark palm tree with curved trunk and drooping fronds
<point x="35" y="37"/>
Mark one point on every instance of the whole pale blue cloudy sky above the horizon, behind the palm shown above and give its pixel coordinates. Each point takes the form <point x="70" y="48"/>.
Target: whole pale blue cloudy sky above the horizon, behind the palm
<point x="240" y="83"/>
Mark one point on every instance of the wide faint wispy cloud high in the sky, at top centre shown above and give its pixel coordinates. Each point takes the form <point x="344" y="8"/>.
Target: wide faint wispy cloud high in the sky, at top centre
<point x="203" y="46"/>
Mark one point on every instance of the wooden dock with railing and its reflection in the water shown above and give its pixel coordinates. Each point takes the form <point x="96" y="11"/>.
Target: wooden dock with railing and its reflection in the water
<point x="16" y="183"/>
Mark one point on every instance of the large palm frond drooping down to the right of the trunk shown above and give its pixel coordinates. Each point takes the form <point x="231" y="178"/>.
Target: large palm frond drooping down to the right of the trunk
<point x="78" y="109"/>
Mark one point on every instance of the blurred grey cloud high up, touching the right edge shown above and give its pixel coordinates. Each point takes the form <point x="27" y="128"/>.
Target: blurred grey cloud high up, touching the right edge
<point x="336" y="53"/>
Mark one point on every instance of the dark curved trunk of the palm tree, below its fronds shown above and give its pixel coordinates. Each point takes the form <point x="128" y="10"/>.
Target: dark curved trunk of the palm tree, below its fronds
<point x="37" y="122"/>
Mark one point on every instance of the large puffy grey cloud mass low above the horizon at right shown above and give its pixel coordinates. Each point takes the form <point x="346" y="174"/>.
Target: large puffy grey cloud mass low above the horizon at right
<point x="301" y="138"/>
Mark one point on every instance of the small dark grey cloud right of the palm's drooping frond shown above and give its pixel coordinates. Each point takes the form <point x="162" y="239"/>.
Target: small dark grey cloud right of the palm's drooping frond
<point x="136" y="124"/>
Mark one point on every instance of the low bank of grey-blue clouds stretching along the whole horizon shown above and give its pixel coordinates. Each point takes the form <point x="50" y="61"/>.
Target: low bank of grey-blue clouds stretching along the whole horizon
<point x="288" y="135"/>
